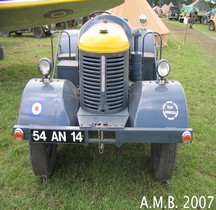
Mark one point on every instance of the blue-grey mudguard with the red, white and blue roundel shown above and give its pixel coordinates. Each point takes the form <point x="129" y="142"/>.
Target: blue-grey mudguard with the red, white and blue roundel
<point x="49" y="103"/>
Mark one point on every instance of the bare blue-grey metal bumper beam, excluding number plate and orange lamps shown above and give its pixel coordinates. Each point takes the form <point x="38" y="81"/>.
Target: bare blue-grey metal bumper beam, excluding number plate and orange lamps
<point x="123" y="135"/>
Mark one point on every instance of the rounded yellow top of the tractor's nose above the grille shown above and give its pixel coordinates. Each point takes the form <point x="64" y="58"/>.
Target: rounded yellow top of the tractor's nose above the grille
<point x="104" y="38"/>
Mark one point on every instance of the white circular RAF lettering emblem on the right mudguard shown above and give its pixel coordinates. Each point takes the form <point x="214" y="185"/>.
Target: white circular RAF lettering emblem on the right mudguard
<point x="170" y="110"/>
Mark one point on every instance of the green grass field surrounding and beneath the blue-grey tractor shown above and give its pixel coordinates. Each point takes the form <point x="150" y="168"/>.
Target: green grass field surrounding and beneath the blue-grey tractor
<point x="119" y="179"/>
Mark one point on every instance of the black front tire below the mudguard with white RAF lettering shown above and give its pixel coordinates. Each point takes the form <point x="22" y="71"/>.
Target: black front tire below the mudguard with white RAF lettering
<point x="163" y="157"/>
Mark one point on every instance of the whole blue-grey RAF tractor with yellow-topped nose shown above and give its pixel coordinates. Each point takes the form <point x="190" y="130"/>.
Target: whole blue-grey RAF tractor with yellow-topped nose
<point x="106" y="84"/>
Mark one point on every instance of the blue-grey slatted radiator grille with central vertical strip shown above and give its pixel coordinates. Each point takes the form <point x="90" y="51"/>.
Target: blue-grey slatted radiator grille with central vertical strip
<point x="107" y="95"/>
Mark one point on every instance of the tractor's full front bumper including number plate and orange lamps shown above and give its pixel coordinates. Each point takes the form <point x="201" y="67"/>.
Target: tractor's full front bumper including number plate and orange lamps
<point x="75" y="134"/>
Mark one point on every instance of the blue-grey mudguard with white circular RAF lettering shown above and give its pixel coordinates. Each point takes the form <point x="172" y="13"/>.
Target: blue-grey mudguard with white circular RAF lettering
<point x="156" y="105"/>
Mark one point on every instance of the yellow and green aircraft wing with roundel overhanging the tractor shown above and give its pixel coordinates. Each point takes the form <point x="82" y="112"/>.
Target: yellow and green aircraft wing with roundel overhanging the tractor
<point x="20" y="14"/>
